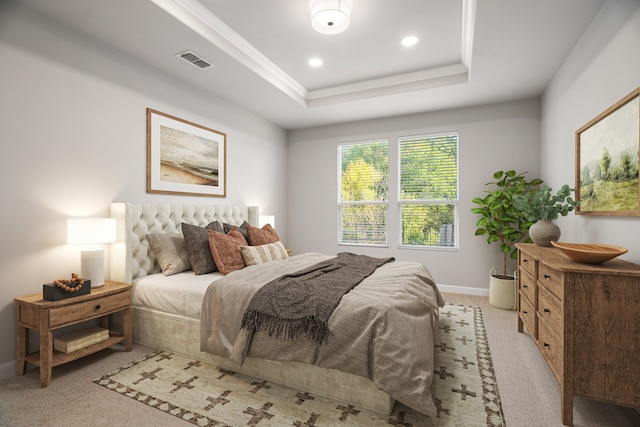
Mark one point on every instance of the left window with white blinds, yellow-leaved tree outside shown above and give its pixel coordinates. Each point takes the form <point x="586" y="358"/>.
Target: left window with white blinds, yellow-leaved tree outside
<point x="363" y="193"/>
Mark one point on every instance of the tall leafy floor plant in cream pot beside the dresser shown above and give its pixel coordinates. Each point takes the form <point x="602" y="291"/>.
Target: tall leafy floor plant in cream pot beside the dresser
<point x="501" y="222"/>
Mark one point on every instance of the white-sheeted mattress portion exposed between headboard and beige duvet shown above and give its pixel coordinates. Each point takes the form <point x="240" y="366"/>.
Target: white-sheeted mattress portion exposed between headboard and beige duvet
<point x="180" y="293"/>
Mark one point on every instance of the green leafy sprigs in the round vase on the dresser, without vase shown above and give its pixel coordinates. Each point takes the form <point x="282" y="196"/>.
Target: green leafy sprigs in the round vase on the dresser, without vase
<point x="544" y="205"/>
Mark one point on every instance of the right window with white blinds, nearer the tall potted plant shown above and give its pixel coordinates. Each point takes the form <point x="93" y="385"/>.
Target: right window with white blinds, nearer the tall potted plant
<point x="428" y="190"/>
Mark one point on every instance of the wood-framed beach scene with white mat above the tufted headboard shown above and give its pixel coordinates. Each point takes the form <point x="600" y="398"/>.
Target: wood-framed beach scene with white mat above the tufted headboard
<point x="184" y="157"/>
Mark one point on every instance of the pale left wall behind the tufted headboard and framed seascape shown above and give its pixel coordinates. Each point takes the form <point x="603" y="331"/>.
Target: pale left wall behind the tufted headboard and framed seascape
<point x="73" y="139"/>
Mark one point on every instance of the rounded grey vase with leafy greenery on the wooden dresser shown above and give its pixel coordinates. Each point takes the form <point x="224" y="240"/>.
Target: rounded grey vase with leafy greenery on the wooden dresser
<point x="541" y="208"/>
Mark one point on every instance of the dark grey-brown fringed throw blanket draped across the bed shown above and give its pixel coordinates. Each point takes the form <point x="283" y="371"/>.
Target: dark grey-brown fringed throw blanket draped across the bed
<point x="302" y="302"/>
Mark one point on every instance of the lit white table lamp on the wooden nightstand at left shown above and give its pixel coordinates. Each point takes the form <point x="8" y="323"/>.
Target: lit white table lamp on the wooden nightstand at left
<point x="90" y="232"/>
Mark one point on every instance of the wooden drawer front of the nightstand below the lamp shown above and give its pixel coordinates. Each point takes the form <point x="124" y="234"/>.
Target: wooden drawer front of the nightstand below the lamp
<point x="88" y="310"/>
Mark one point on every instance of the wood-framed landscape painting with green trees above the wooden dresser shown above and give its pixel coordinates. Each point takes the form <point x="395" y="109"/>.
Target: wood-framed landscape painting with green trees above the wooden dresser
<point x="607" y="150"/>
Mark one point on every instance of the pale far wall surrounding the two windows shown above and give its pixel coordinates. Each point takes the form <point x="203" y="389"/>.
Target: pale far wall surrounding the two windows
<point x="492" y="137"/>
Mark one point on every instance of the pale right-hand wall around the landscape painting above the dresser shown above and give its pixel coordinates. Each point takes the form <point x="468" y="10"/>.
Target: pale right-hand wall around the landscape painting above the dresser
<point x="602" y="69"/>
